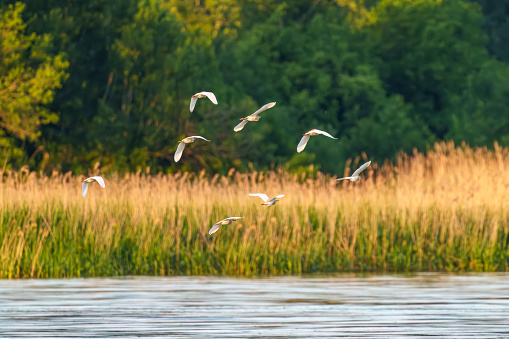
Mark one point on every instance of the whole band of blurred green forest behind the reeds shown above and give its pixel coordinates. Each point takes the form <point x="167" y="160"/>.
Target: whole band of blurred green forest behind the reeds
<point x="89" y="81"/>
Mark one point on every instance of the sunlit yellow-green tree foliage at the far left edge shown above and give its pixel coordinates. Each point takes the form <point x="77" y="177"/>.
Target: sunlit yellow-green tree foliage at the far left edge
<point x="28" y="78"/>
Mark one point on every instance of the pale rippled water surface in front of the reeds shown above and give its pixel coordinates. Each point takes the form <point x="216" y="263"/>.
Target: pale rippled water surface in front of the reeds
<point x="453" y="306"/>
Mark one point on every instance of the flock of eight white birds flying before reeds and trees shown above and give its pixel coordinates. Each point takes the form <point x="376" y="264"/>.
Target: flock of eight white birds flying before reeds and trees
<point x="252" y="117"/>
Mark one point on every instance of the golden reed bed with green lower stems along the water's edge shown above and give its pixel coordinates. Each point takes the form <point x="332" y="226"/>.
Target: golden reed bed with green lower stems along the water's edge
<point x="446" y="210"/>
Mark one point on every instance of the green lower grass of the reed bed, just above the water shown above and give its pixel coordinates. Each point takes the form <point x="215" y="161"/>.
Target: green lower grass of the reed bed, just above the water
<point x="66" y="243"/>
